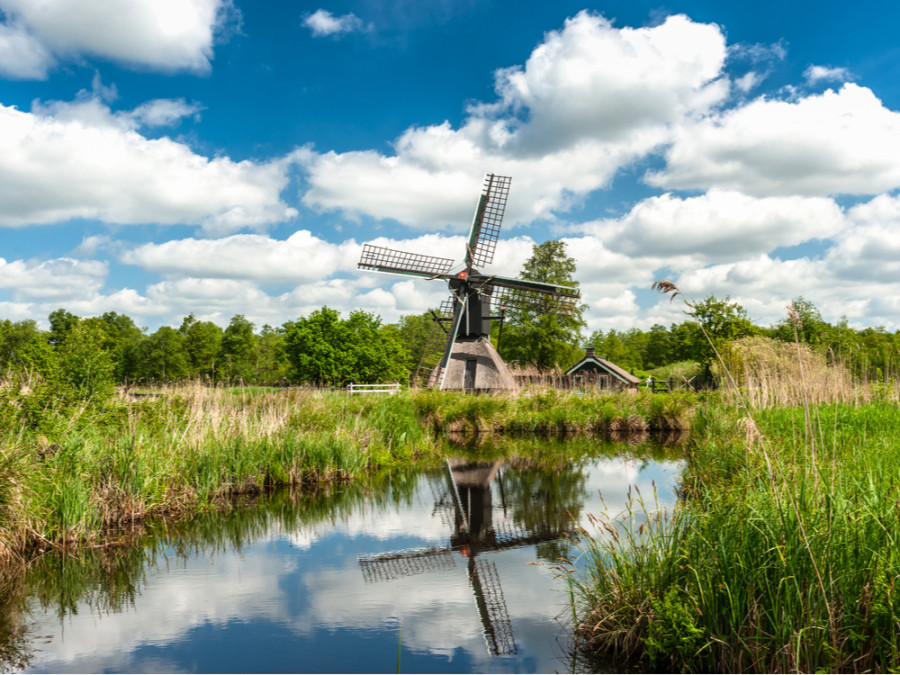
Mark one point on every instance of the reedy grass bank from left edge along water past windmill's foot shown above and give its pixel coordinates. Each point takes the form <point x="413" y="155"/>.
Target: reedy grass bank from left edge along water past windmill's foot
<point x="70" y="468"/>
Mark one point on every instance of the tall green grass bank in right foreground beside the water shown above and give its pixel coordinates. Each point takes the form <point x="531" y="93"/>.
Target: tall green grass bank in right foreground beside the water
<point x="783" y="557"/>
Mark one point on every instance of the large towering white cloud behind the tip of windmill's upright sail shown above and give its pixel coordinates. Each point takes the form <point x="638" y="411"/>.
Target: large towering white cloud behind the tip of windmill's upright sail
<point x="589" y="100"/>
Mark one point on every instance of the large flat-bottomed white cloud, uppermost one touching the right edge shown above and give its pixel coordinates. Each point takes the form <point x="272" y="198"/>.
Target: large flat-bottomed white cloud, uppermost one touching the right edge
<point x="838" y="142"/>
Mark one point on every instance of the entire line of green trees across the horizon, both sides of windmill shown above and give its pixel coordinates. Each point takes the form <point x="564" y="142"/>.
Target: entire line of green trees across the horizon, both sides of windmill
<point x="326" y="350"/>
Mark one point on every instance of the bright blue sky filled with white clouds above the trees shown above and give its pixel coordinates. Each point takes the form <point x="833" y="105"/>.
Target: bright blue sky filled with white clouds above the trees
<point x="216" y="157"/>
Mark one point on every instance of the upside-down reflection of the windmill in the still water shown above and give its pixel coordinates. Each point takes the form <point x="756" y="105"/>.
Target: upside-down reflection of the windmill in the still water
<point x="465" y="502"/>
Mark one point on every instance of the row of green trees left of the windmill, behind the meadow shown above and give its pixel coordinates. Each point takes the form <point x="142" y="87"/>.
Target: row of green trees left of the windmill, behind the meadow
<point x="321" y="349"/>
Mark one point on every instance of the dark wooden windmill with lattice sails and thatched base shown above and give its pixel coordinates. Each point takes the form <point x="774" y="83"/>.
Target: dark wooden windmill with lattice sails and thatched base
<point x="459" y="353"/>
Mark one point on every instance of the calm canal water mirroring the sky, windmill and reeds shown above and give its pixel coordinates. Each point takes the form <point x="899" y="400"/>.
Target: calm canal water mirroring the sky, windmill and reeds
<point x="442" y="570"/>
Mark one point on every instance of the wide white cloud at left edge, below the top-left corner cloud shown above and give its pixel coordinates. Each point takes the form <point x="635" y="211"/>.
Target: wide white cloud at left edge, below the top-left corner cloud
<point x="80" y="161"/>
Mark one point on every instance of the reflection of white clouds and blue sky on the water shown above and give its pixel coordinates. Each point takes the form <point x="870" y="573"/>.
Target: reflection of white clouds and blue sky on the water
<point x="307" y="583"/>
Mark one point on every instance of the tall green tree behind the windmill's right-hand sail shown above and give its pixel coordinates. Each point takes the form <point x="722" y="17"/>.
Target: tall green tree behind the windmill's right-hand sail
<point x="543" y="340"/>
